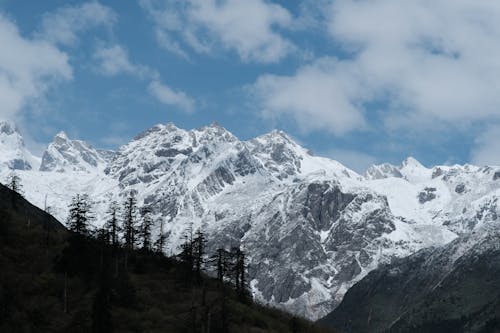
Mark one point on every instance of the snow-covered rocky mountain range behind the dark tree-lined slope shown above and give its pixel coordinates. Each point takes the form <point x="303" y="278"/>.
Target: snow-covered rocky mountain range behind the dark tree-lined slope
<point x="311" y="227"/>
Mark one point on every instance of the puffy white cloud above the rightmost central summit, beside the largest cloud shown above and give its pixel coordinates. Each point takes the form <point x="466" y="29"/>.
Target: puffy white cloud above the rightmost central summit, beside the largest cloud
<point x="320" y="96"/>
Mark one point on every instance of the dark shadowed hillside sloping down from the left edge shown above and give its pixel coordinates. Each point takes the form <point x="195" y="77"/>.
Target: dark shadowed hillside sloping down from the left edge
<point x="53" y="280"/>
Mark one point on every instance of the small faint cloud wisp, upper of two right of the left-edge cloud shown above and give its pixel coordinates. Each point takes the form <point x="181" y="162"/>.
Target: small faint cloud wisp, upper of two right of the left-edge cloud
<point x="114" y="60"/>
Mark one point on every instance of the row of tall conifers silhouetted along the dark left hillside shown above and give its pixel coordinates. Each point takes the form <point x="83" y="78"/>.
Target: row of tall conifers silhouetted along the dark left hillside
<point x="130" y="228"/>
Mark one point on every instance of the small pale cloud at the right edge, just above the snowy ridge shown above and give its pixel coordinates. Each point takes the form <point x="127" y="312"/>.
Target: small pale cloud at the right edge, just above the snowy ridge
<point x="487" y="150"/>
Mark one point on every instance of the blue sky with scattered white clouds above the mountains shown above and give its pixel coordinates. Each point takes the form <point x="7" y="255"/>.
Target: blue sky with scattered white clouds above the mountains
<point x="359" y="81"/>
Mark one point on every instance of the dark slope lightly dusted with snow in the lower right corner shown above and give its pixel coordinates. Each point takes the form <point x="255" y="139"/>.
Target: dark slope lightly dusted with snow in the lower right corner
<point x="428" y="292"/>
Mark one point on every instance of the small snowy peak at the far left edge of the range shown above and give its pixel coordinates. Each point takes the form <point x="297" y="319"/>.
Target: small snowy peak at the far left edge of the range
<point x="13" y="153"/>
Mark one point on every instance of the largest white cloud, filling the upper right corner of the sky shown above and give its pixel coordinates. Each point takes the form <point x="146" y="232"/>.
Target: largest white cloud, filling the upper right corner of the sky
<point x="439" y="58"/>
